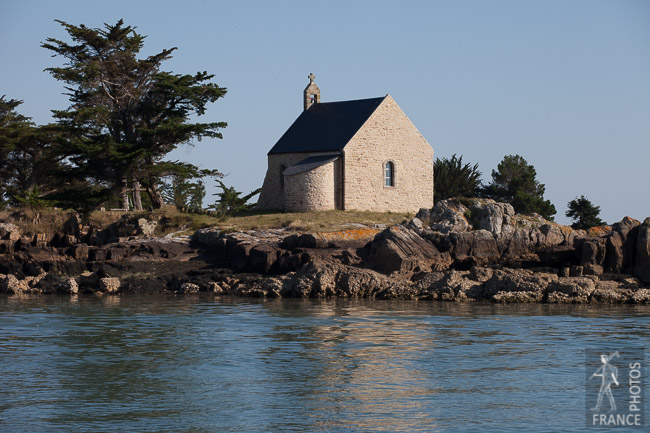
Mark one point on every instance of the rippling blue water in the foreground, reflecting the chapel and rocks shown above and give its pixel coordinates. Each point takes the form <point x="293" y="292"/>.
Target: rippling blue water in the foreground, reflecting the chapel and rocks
<point x="198" y="364"/>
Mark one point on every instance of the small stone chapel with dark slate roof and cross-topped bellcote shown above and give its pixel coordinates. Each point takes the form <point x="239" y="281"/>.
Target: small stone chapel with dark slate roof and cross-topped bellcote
<point x="363" y="154"/>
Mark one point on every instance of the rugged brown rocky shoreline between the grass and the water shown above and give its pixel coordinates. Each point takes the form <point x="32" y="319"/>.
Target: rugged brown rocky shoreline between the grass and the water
<point x="474" y="250"/>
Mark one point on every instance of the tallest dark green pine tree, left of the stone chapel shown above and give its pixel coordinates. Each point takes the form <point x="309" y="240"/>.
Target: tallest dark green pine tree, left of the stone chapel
<point x="125" y="113"/>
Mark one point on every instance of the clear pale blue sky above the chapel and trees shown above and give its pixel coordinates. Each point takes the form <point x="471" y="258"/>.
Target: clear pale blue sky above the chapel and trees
<point x="565" y="84"/>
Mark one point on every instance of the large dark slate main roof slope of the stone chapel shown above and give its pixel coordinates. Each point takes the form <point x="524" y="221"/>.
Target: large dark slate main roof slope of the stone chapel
<point x="326" y="126"/>
